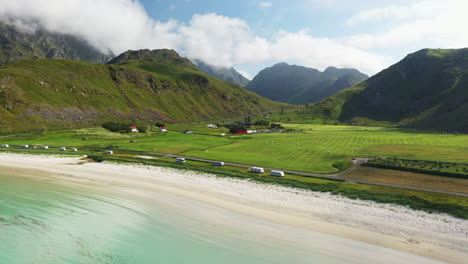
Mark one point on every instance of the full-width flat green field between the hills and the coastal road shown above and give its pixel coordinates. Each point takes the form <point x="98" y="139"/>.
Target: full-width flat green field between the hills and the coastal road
<point x="314" y="148"/>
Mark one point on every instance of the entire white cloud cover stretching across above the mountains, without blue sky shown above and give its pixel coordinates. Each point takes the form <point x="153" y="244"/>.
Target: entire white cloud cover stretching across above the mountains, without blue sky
<point x="120" y="25"/>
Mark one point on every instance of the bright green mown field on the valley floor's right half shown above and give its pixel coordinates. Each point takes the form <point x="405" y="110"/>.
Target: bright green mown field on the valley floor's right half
<point x="317" y="147"/>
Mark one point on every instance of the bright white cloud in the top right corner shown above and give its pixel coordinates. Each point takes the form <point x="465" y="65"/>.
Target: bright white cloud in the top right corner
<point x="426" y="24"/>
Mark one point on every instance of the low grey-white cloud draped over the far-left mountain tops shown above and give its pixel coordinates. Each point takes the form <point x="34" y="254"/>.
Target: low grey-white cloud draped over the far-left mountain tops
<point x="107" y="24"/>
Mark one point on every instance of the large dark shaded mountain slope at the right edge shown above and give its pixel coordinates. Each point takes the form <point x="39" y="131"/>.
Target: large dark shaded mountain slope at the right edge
<point x="426" y="90"/>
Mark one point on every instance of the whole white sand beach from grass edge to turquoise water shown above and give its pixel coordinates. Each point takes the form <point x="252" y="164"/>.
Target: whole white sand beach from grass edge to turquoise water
<point x="362" y="231"/>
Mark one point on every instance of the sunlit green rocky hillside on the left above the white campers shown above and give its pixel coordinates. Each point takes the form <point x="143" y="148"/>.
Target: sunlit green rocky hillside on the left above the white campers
<point x="142" y="87"/>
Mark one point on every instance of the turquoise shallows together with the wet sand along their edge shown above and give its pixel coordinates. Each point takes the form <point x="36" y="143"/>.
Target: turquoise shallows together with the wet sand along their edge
<point x="42" y="222"/>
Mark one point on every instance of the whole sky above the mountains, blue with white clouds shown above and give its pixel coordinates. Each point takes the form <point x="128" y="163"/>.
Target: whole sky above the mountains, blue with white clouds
<point x="250" y="35"/>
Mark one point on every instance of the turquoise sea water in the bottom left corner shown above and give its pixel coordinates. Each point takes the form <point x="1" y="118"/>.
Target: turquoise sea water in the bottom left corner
<point x="42" y="222"/>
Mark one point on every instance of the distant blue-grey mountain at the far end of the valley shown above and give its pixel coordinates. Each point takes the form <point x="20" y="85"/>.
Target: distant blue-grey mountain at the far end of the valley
<point x="299" y="85"/>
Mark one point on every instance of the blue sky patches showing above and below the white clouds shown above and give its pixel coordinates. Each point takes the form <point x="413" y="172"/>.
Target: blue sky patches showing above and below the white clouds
<point x="322" y="19"/>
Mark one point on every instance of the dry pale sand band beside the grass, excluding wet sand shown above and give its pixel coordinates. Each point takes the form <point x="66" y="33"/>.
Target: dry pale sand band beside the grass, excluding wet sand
<point x="436" y="236"/>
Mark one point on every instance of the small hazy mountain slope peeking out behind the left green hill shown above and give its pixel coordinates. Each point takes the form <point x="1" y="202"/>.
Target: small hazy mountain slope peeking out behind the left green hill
<point x="228" y="74"/>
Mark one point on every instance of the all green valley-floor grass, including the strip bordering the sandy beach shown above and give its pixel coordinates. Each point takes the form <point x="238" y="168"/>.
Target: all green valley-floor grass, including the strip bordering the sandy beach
<point x="315" y="149"/>
